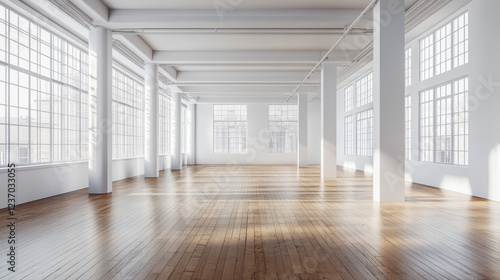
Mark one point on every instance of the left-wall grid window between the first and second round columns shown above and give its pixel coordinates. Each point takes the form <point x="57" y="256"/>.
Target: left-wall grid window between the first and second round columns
<point x="128" y="116"/>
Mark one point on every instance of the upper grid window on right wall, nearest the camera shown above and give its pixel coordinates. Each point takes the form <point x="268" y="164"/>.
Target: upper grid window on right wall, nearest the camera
<point x="446" y="48"/>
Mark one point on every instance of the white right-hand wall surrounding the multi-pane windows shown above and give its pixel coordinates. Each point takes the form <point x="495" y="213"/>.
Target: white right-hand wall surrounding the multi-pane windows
<point x="482" y="176"/>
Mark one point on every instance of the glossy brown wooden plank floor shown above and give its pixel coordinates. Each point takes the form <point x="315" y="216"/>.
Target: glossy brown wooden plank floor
<point x="255" y="222"/>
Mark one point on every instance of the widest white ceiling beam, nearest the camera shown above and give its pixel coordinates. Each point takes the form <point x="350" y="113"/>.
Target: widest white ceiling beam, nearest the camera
<point x="210" y="18"/>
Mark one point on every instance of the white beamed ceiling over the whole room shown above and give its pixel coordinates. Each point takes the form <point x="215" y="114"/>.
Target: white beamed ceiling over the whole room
<point x="196" y="39"/>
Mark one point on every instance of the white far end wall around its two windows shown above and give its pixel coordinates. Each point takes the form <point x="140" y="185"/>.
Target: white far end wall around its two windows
<point x="258" y="139"/>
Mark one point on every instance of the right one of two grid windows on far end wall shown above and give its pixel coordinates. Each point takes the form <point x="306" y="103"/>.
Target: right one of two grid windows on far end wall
<point x="283" y="127"/>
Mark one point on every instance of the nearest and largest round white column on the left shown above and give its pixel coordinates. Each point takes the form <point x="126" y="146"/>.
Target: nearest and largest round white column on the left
<point x="100" y="130"/>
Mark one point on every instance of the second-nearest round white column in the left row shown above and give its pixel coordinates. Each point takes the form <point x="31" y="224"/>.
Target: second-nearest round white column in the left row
<point x="152" y="125"/>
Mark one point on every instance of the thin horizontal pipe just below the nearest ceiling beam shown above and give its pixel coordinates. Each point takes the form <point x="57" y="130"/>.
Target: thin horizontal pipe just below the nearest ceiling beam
<point x="298" y="31"/>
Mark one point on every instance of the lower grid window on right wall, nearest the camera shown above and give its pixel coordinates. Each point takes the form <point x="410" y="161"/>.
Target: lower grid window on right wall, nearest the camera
<point x="444" y="123"/>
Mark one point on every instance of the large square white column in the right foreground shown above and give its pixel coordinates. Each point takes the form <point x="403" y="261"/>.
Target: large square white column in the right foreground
<point x="388" y="101"/>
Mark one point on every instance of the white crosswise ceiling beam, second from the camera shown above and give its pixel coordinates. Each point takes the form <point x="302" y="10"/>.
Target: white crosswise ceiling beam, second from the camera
<point x="248" y="57"/>
